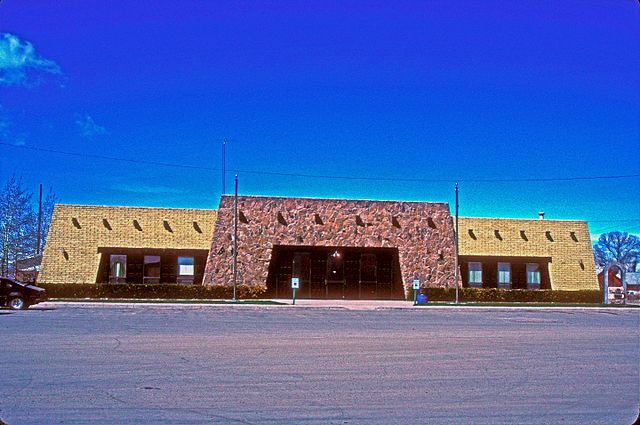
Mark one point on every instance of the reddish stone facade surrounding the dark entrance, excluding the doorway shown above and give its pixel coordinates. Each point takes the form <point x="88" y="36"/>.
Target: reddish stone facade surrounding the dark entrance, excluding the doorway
<point x="422" y="232"/>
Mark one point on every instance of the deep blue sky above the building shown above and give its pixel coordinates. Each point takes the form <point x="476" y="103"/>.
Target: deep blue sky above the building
<point x="431" y="90"/>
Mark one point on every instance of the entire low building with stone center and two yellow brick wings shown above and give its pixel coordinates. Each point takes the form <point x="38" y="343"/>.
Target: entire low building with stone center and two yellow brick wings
<point x="337" y="248"/>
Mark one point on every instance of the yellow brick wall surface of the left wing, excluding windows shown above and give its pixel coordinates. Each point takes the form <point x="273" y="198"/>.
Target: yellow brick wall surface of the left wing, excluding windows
<point x="81" y="245"/>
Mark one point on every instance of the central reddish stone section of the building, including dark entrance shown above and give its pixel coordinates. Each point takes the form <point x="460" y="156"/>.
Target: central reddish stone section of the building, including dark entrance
<point x="337" y="248"/>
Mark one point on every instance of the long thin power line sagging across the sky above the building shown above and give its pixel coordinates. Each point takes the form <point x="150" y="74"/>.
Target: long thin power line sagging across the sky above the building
<point x="320" y="176"/>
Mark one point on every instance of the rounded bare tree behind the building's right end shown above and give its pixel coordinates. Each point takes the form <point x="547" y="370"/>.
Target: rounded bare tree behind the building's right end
<point x="617" y="247"/>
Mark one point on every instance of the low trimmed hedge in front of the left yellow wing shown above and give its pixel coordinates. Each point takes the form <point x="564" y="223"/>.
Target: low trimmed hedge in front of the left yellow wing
<point x="160" y="291"/>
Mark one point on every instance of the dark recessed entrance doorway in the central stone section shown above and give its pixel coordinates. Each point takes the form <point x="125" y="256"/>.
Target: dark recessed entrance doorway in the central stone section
<point x="335" y="272"/>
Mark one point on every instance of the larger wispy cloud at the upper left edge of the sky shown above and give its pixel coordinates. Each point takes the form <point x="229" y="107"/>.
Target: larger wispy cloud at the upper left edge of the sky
<point x="18" y="59"/>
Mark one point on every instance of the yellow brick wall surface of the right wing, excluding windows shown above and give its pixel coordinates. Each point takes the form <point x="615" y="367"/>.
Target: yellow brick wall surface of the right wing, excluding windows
<point x="572" y="265"/>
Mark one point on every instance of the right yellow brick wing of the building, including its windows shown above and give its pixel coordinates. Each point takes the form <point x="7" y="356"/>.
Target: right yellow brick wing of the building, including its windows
<point x="526" y="254"/>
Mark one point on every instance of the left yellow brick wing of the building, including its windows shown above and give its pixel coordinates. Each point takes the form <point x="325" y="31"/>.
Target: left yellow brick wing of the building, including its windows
<point x="99" y="244"/>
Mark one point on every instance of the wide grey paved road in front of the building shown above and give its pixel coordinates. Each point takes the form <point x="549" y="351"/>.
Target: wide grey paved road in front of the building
<point x="254" y="365"/>
